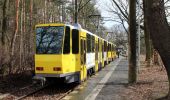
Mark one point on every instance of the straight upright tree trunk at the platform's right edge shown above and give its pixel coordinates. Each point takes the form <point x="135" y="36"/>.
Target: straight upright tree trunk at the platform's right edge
<point x="132" y="43"/>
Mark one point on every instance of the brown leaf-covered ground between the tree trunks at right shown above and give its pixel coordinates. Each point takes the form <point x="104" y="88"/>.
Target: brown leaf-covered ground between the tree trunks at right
<point x="152" y="83"/>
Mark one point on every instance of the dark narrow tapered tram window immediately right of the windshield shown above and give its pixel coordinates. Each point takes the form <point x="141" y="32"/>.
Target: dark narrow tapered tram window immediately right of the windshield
<point x="67" y="41"/>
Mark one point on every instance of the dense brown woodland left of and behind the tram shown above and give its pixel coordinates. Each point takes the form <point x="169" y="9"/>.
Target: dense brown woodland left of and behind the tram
<point x="18" y="20"/>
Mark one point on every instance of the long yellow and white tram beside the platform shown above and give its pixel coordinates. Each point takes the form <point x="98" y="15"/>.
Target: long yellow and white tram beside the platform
<point x="69" y="52"/>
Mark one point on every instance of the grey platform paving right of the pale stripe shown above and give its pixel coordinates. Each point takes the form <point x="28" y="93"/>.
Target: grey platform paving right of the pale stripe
<point x="116" y="84"/>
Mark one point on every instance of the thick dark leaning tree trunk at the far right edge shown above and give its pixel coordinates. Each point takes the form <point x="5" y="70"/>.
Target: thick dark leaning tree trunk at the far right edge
<point x="160" y="32"/>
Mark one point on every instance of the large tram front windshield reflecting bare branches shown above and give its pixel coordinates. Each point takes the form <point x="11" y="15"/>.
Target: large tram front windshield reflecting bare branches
<point x="49" y="39"/>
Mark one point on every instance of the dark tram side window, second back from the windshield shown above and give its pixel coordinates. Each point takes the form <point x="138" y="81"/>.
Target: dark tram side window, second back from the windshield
<point x="75" y="41"/>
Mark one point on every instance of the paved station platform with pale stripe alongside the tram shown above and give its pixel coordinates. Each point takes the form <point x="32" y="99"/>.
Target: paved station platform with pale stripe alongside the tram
<point x="105" y="85"/>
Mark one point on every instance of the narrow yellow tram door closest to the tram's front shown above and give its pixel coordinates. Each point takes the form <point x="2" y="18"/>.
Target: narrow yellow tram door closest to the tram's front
<point x="83" y="60"/>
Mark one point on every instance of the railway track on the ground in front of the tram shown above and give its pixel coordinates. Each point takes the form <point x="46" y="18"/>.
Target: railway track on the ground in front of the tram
<point x="36" y="90"/>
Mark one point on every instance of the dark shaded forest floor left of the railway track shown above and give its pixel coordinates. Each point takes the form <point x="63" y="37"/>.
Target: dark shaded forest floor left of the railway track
<point x="11" y="84"/>
